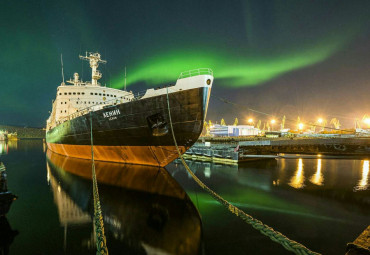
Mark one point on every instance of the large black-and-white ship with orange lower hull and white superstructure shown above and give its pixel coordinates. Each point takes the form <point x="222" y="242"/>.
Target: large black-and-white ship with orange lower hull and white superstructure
<point x="126" y="127"/>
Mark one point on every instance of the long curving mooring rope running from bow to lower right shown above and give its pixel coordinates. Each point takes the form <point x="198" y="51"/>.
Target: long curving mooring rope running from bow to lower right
<point x="275" y="236"/>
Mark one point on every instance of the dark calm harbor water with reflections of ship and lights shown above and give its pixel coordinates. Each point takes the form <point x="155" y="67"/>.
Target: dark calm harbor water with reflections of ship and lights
<point x="321" y="203"/>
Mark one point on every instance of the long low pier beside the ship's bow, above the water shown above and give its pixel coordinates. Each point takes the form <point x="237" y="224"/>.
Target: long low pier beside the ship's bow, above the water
<point x="233" y="151"/>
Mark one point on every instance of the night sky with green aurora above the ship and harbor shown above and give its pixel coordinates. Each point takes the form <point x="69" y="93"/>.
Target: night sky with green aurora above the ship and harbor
<point x="293" y="58"/>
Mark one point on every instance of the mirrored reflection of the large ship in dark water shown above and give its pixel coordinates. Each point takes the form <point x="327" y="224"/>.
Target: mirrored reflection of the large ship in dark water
<point x="145" y="210"/>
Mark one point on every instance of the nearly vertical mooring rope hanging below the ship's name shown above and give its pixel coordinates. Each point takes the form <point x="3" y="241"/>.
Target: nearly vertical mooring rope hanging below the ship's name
<point x="101" y="242"/>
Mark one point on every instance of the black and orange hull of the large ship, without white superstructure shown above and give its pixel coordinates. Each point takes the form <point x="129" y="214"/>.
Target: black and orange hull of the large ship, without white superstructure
<point x="136" y="132"/>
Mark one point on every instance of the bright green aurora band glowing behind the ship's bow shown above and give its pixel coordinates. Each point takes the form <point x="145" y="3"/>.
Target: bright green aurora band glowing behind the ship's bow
<point x="240" y="70"/>
